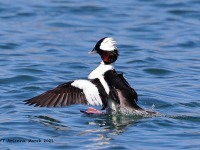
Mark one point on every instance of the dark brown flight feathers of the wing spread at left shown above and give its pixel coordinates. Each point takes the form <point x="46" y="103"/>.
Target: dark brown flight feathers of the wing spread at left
<point x="63" y="95"/>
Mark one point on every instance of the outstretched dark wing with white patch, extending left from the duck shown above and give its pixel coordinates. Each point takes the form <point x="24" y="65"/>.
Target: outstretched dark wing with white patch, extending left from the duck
<point x="74" y="92"/>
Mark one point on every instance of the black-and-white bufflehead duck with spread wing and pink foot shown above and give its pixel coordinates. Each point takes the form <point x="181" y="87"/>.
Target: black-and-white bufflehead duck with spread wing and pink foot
<point x="104" y="87"/>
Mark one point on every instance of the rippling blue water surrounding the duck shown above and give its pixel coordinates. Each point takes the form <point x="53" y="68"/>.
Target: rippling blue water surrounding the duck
<point x="45" y="43"/>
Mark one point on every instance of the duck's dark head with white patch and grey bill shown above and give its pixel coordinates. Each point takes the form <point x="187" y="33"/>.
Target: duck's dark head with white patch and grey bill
<point x="107" y="49"/>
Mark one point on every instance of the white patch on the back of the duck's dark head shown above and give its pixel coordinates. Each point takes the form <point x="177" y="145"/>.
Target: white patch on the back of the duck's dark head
<point x="108" y="44"/>
